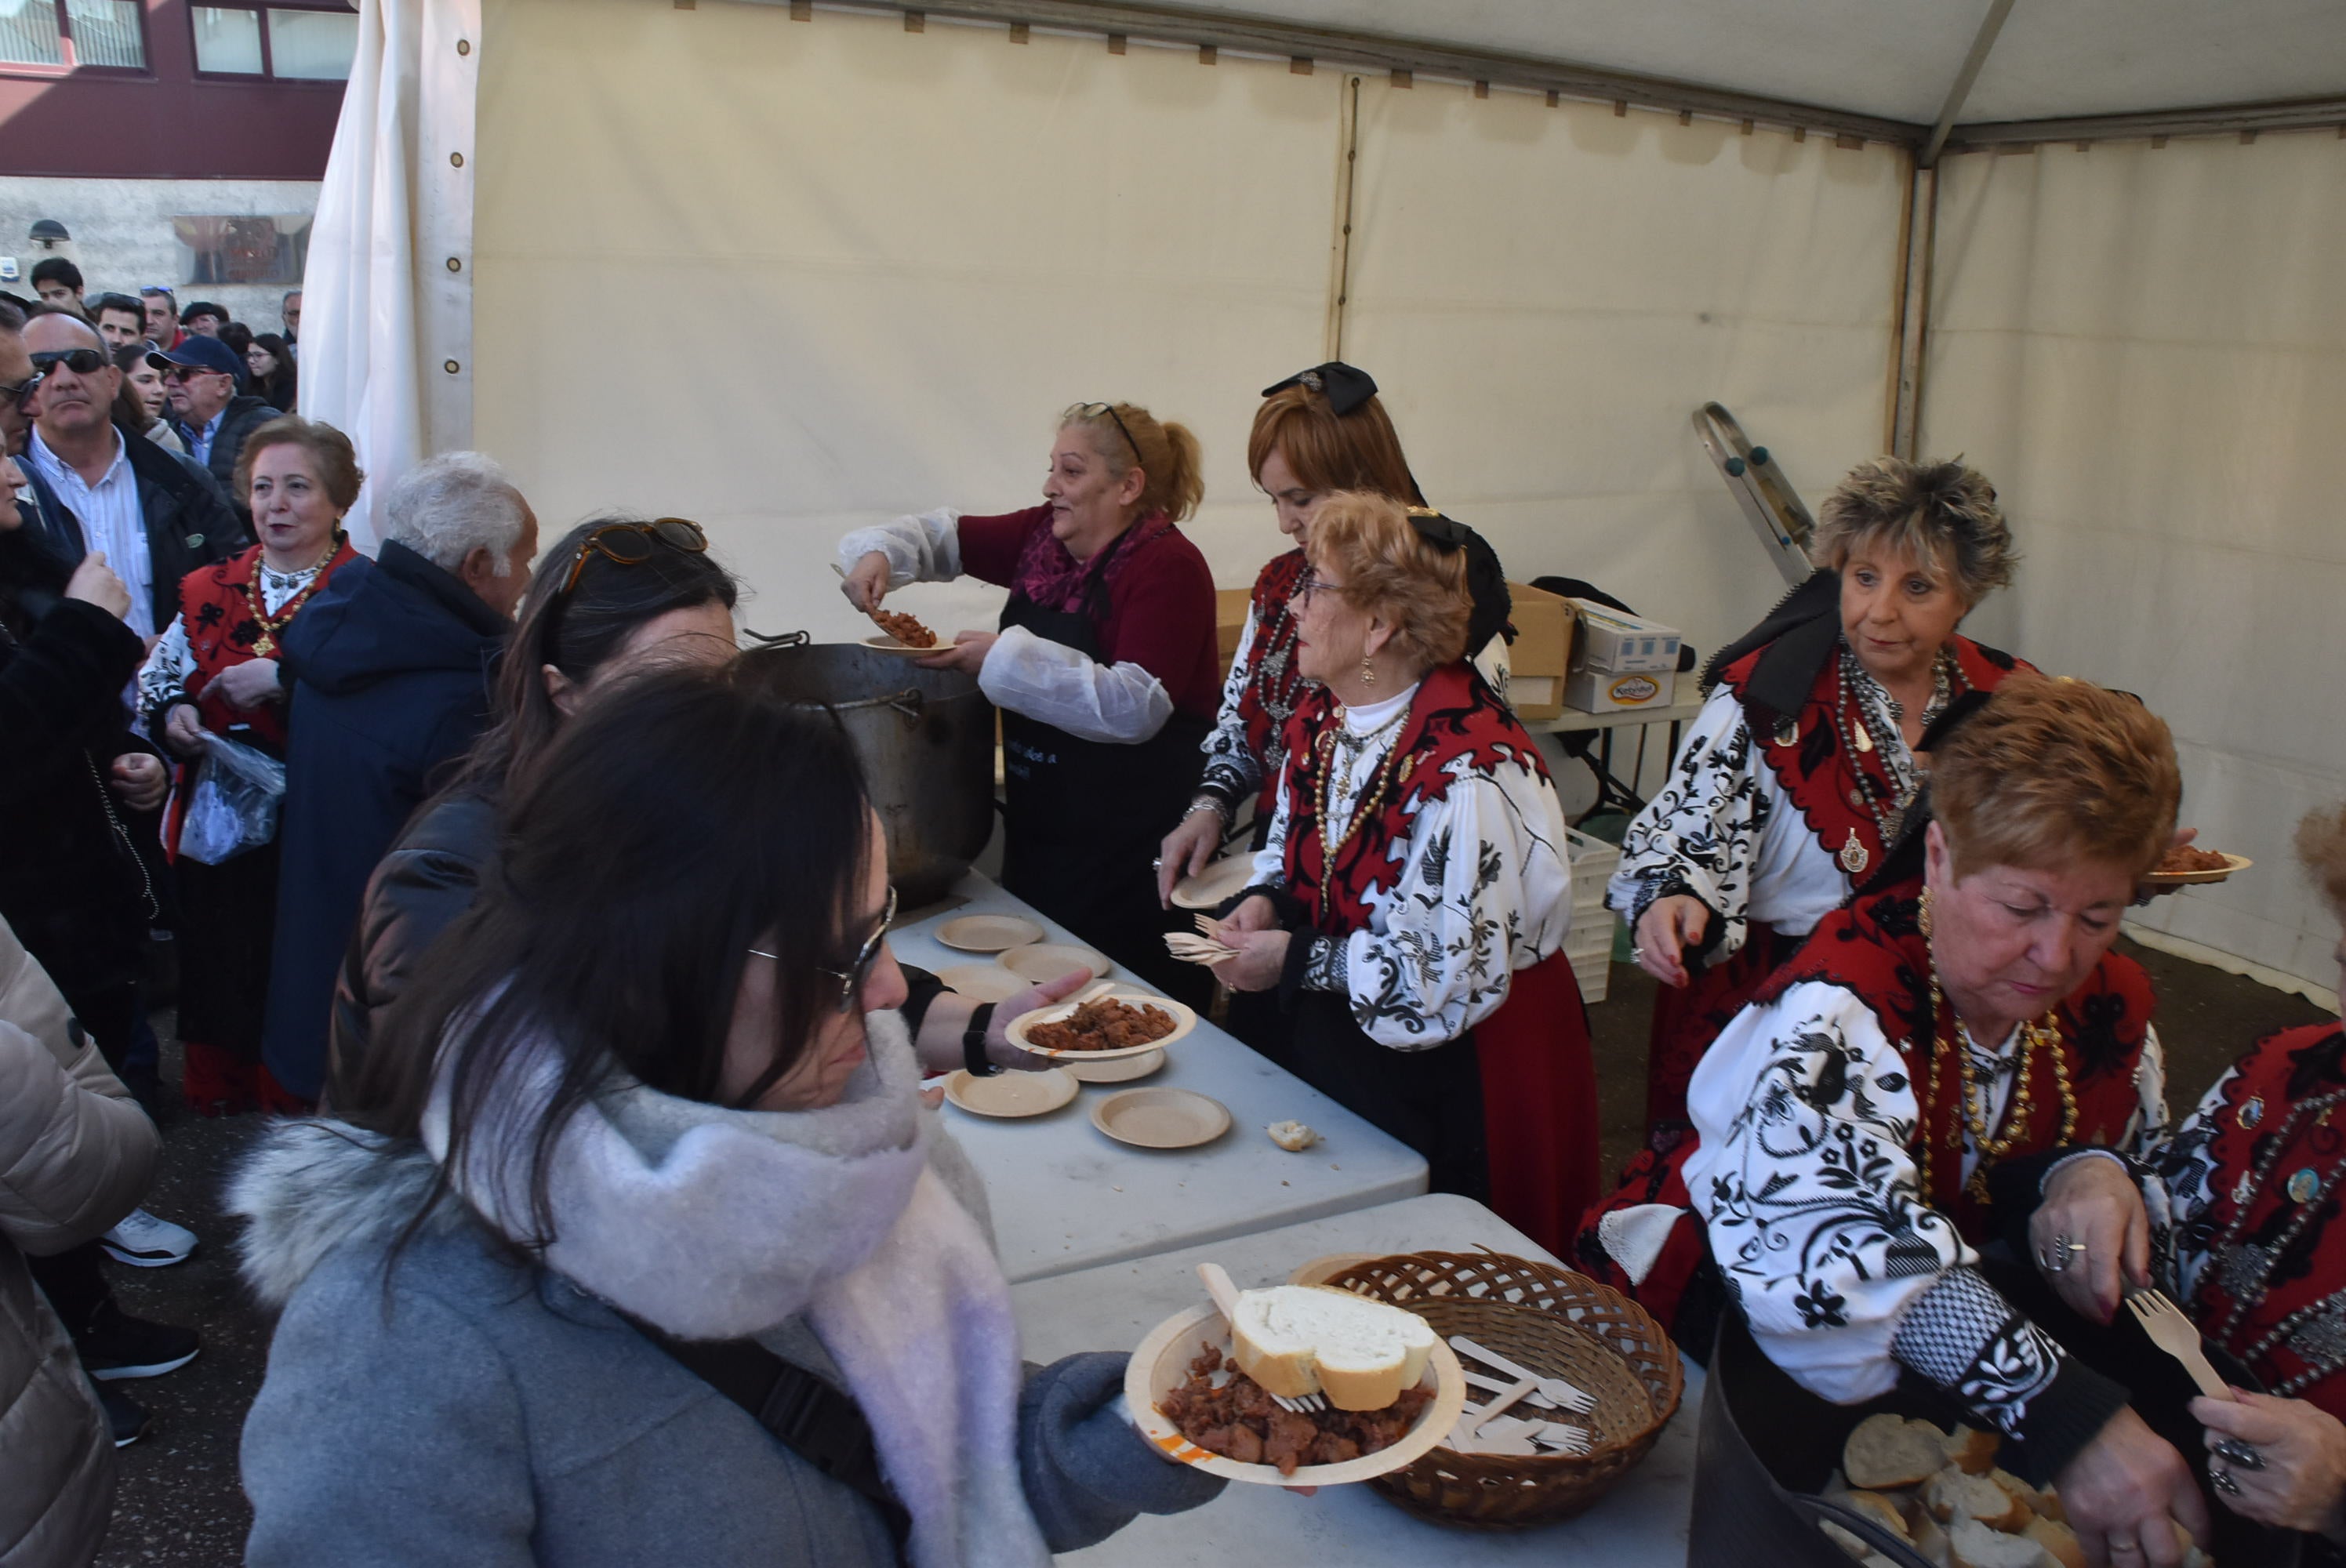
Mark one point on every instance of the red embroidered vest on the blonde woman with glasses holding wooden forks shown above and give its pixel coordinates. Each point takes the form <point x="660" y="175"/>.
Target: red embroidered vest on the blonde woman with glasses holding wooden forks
<point x="1456" y="729"/>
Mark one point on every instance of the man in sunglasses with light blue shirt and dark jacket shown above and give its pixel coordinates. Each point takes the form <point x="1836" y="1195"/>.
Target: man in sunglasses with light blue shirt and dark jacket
<point x="154" y="513"/>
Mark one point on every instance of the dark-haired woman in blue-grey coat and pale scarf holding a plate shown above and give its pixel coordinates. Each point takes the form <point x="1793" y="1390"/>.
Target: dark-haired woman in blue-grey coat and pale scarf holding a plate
<point x="527" y="1313"/>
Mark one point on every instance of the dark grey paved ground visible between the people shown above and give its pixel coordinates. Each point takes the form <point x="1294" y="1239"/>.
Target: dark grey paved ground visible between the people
<point x="179" y="1499"/>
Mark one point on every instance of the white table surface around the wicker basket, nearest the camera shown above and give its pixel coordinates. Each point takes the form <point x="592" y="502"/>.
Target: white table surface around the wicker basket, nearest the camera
<point x="1111" y="1309"/>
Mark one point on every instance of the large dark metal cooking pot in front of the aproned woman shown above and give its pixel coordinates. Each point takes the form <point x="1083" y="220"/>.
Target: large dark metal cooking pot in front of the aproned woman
<point x="925" y="741"/>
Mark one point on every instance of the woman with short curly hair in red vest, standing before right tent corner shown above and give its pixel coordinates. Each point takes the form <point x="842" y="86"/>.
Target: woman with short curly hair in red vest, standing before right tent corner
<point x="1801" y="769"/>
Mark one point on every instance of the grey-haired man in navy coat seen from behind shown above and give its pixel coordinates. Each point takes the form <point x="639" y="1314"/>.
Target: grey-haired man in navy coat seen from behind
<point x="391" y="680"/>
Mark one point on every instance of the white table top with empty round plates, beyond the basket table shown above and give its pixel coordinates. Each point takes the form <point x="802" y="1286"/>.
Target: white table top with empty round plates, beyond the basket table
<point x="1066" y="1196"/>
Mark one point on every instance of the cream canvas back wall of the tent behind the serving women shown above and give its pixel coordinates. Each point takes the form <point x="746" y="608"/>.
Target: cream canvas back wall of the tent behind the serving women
<point x="789" y="278"/>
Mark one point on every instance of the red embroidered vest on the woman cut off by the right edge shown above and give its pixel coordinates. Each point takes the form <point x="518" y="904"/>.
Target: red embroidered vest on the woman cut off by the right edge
<point x="2263" y="1241"/>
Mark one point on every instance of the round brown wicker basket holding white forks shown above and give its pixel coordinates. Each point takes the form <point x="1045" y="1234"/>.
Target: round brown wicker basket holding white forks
<point x="1559" y="1325"/>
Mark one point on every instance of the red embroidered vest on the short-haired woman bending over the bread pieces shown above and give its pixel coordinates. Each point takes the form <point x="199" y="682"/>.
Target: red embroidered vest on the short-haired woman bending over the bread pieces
<point x="1878" y="952"/>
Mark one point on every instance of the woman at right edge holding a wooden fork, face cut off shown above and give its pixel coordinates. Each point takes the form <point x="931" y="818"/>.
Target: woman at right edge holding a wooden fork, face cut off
<point x="2239" y="1229"/>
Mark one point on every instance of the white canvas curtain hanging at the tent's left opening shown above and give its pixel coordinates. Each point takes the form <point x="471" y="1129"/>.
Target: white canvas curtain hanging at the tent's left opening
<point x="386" y="349"/>
